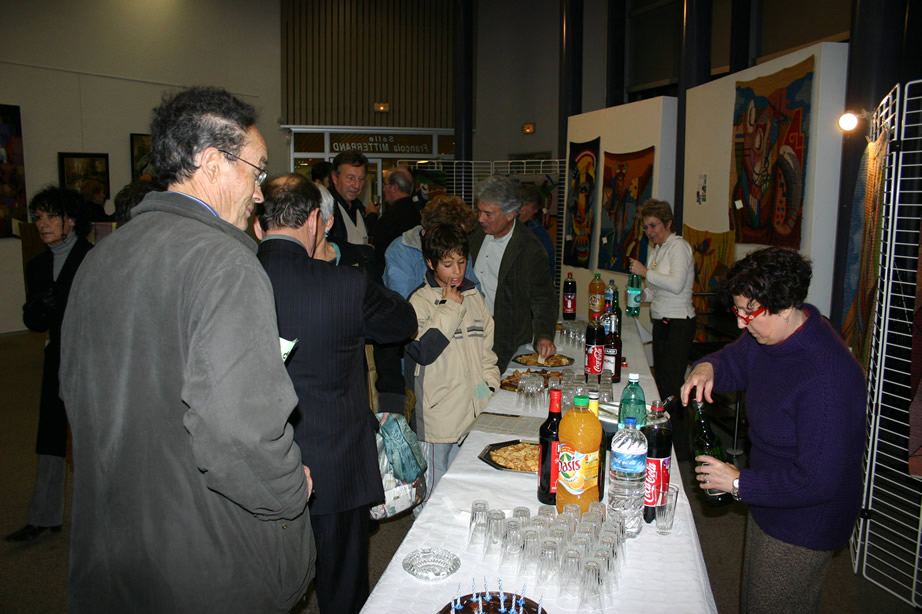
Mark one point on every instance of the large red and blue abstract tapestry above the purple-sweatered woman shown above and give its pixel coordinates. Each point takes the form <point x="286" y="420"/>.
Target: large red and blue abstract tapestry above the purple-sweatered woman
<point x="771" y="120"/>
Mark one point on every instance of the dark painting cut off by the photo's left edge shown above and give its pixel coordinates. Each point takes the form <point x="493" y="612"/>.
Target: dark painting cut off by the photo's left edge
<point x="12" y="170"/>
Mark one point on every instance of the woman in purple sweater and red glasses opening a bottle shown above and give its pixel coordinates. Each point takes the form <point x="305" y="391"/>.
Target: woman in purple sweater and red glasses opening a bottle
<point x="805" y="400"/>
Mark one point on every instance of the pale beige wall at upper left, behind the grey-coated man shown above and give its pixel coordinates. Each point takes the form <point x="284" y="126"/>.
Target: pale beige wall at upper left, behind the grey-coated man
<point x="87" y="74"/>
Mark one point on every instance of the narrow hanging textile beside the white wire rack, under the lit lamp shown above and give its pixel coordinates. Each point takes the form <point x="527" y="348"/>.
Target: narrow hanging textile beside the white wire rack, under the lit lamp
<point x="863" y="259"/>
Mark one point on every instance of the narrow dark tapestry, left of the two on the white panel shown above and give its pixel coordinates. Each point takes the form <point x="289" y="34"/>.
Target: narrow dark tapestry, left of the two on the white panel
<point x="582" y="171"/>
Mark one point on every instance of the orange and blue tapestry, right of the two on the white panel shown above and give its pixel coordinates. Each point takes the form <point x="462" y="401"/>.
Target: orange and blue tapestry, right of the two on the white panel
<point x="626" y="184"/>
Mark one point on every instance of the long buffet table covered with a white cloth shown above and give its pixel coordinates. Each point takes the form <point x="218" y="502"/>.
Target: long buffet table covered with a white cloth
<point x="663" y="573"/>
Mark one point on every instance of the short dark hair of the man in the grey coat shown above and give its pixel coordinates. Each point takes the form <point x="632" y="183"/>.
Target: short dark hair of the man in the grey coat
<point x="191" y="121"/>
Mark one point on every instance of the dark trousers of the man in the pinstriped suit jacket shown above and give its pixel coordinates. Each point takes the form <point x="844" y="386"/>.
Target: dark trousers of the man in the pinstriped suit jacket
<point x="342" y="560"/>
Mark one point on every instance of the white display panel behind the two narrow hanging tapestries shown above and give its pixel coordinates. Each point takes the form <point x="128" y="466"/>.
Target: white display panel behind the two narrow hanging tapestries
<point x="625" y="128"/>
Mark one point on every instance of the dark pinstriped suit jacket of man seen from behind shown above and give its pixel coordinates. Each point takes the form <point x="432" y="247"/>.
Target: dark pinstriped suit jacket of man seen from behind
<point x="331" y="310"/>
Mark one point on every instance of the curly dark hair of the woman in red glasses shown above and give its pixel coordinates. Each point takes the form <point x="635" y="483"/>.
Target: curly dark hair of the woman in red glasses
<point x="774" y="277"/>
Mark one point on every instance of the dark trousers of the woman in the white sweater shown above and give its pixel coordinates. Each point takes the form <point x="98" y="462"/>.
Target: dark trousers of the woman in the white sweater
<point x="672" y="339"/>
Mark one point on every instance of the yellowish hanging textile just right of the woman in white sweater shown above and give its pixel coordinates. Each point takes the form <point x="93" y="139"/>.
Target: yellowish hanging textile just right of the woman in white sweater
<point x="714" y="254"/>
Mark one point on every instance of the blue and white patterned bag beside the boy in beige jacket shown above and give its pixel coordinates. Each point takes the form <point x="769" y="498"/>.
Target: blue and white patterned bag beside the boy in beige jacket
<point x="402" y="466"/>
